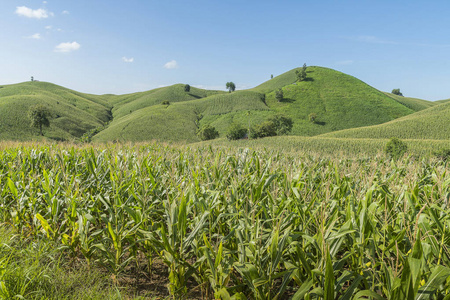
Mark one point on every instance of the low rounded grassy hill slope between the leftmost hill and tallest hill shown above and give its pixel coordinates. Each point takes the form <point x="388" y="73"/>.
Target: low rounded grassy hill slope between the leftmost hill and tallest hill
<point x="180" y="120"/>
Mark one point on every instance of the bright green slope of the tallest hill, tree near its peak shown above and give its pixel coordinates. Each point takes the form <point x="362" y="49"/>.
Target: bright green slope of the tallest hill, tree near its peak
<point x="339" y="100"/>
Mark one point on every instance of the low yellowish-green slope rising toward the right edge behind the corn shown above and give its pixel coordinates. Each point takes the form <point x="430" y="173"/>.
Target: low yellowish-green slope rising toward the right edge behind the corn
<point x="431" y="123"/>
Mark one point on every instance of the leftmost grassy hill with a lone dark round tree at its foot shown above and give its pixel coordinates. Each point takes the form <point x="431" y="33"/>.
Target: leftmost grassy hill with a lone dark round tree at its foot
<point x="73" y="113"/>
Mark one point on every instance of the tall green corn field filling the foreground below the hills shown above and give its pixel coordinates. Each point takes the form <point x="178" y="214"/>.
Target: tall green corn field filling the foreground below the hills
<point x="238" y="224"/>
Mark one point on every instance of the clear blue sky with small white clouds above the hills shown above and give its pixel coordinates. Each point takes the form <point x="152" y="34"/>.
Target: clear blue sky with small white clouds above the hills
<point x="118" y="47"/>
